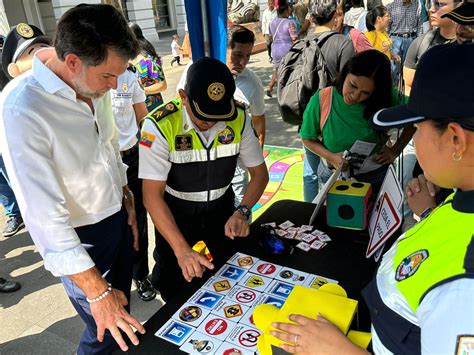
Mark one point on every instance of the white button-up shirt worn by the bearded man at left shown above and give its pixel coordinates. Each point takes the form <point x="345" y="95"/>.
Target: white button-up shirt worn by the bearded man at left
<point x="64" y="173"/>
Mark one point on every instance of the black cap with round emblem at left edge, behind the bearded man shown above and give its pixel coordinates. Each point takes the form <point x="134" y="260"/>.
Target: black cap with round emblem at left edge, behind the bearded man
<point x="18" y="40"/>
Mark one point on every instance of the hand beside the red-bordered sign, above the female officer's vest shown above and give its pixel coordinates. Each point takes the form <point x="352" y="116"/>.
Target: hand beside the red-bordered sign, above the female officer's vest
<point x="421" y="194"/>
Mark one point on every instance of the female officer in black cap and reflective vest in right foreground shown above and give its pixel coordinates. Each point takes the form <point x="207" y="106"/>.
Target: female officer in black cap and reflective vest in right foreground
<point x="422" y="297"/>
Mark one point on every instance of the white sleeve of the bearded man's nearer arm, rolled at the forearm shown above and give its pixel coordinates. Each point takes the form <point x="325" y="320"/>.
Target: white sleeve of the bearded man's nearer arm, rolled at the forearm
<point x="26" y="148"/>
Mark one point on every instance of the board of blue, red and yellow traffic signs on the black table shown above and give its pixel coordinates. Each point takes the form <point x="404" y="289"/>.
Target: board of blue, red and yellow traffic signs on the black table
<point x="217" y="319"/>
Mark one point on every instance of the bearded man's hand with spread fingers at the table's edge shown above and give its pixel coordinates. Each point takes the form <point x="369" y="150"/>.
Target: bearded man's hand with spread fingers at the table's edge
<point x="109" y="313"/>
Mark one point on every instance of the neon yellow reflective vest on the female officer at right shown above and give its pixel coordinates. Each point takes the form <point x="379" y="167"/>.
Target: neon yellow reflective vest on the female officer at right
<point x="436" y="251"/>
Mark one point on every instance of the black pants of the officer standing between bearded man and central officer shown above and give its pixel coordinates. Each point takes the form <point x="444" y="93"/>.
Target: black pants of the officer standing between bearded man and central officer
<point x="140" y="265"/>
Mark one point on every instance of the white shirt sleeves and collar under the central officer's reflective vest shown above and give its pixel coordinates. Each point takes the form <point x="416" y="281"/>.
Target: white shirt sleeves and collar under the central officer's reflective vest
<point x="154" y="162"/>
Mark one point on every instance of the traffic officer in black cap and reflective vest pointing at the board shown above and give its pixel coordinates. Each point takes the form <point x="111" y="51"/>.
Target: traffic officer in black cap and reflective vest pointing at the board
<point x="188" y="154"/>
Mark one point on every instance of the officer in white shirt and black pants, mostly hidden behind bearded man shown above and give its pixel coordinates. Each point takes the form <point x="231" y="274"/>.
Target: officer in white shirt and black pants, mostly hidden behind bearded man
<point x="129" y="108"/>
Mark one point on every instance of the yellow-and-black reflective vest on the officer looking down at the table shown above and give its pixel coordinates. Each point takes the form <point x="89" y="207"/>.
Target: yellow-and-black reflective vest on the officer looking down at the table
<point x="199" y="173"/>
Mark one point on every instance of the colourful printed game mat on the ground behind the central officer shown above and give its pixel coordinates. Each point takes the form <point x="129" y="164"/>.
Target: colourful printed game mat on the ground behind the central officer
<point x="285" y="168"/>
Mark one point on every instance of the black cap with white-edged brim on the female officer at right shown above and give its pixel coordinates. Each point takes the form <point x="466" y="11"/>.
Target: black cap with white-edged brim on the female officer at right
<point x="442" y="90"/>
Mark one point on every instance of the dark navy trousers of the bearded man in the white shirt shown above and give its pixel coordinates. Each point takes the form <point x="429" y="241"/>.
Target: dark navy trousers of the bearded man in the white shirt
<point x="109" y="245"/>
